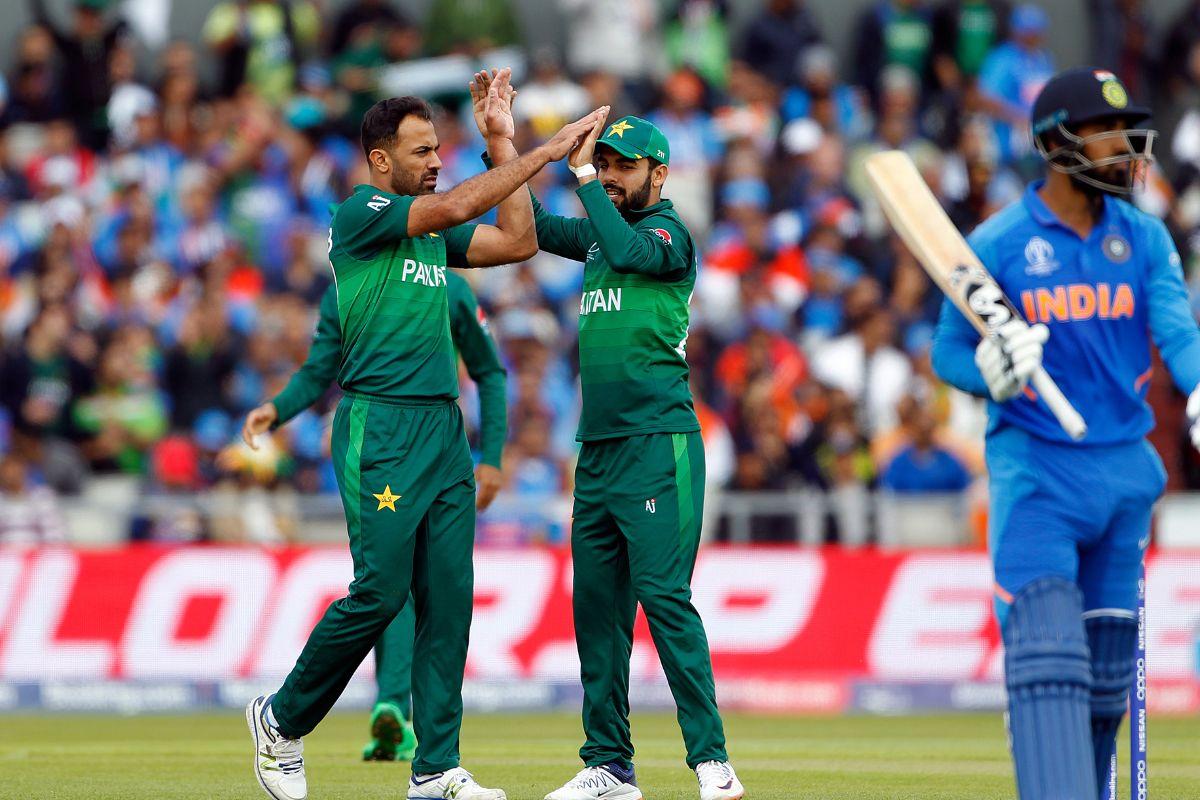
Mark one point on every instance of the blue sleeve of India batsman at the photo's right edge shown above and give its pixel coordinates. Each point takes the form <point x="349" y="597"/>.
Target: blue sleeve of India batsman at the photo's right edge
<point x="1172" y="323"/>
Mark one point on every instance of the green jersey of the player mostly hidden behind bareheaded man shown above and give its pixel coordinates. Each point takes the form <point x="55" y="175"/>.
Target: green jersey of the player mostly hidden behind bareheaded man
<point x="472" y="340"/>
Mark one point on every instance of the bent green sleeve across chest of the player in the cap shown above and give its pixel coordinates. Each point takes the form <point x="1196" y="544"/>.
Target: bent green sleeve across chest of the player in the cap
<point x="661" y="250"/>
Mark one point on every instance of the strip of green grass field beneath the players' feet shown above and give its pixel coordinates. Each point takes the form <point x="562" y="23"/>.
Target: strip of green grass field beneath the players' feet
<point x="778" y="759"/>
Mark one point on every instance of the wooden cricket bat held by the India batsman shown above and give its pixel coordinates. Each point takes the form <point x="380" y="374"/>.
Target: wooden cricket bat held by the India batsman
<point x="934" y="240"/>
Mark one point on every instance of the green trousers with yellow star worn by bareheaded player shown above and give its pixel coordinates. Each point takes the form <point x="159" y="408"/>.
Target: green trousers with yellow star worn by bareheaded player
<point x="407" y="484"/>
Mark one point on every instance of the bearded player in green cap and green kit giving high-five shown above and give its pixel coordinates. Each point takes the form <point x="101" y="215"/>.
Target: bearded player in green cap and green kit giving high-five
<point x="640" y="479"/>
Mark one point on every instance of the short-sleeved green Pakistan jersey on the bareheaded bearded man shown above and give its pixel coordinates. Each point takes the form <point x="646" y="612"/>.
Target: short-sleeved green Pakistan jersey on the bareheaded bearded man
<point x="392" y="299"/>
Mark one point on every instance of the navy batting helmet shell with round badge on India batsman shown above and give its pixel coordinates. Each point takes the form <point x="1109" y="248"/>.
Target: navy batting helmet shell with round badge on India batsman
<point x="1084" y="95"/>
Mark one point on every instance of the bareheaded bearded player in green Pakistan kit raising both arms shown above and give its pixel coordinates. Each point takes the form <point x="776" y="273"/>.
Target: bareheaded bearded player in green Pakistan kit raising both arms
<point x="401" y="458"/>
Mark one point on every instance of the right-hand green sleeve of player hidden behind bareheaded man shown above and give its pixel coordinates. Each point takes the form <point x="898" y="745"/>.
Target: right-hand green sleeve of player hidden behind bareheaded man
<point x="469" y="328"/>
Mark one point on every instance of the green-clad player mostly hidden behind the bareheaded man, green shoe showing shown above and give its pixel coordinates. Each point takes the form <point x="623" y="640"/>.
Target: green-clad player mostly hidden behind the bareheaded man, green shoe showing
<point x="392" y="730"/>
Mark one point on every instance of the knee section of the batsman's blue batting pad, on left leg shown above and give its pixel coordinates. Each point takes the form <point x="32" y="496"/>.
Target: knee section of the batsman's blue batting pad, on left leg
<point x="1045" y="640"/>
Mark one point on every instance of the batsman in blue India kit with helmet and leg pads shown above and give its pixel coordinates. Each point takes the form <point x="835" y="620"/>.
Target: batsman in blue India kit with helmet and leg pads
<point x="1096" y="280"/>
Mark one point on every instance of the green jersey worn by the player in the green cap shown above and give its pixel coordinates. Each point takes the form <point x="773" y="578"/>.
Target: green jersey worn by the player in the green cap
<point x="640" y="269"/>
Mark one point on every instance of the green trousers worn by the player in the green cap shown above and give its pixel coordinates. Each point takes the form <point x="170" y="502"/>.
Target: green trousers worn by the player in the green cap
<point x="639" y="503"/>
